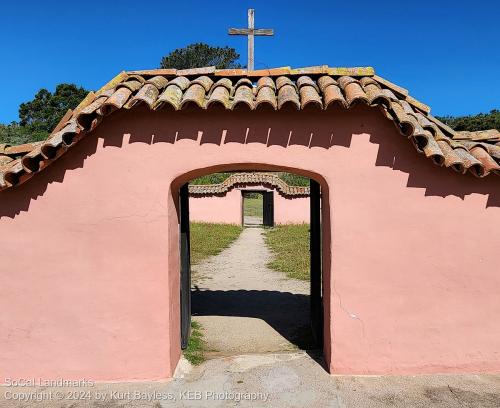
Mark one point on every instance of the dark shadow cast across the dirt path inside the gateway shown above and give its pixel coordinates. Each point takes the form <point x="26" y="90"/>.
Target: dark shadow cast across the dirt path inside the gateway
<point x="287" y="313"/>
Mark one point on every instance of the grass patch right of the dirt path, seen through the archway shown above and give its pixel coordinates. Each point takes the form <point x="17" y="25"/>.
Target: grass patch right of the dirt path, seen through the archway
<point x="290" y="245"/>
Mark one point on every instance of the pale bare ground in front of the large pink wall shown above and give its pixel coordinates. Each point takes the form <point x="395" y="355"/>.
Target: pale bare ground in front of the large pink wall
<point x="291" y="380"/>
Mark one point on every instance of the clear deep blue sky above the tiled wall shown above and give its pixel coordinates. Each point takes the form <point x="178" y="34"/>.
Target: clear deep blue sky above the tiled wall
<point x="446" y="53"/>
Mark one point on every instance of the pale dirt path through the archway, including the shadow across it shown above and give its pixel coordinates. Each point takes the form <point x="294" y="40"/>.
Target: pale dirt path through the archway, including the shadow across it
<point x="244" y="306"/>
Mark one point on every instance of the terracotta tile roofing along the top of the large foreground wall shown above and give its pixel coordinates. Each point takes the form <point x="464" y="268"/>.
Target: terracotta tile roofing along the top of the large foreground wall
<point x="320" y="87"/>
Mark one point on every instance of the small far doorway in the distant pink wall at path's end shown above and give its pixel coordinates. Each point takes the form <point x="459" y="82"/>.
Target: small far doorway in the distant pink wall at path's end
<point x="257" y="208"/>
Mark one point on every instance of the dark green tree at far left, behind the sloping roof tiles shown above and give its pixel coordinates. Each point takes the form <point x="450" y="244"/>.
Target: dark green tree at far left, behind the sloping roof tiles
<point x="46" y="109"/>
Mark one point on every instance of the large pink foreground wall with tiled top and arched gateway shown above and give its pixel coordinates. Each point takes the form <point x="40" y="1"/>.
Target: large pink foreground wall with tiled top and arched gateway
<point x="90" y="244"/>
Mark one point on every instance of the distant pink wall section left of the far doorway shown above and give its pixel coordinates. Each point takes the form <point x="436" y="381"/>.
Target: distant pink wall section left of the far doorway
<point x="217" y="209"/>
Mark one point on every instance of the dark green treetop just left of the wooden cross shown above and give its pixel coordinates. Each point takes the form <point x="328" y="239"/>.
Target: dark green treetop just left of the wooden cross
<point x="201" y="55"/>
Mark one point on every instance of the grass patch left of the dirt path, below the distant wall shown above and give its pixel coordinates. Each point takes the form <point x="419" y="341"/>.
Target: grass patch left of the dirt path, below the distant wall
<point x="210" y="239"/>
